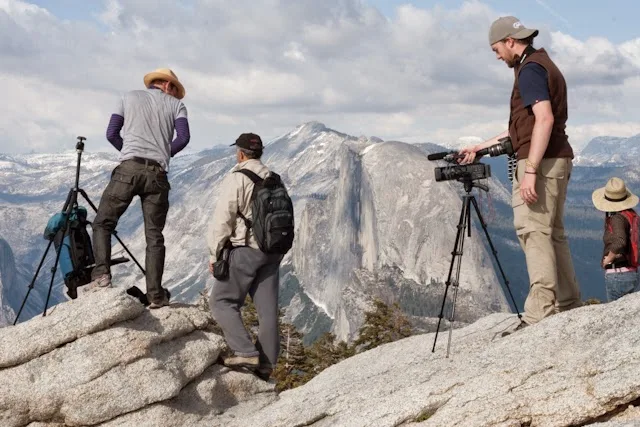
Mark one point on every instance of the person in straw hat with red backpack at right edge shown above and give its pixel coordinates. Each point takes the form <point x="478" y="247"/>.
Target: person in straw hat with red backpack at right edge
<point x="620" y="257"/>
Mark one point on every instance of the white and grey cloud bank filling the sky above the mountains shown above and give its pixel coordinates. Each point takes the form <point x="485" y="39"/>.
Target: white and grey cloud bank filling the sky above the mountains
<point x="417" y="75"/>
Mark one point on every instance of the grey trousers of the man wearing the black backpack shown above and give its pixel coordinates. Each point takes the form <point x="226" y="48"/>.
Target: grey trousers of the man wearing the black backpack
<point x="255" y="273"/>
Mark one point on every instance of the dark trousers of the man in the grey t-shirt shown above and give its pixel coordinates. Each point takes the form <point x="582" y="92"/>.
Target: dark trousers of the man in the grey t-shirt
<point x="131" y="179"/>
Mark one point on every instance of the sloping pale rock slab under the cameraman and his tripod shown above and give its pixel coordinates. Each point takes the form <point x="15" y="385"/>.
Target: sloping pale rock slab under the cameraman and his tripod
<point x="575" y="368"/>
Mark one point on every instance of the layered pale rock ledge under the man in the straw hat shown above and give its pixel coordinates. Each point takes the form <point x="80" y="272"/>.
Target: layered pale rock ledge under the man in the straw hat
<point x="104" y="357"/>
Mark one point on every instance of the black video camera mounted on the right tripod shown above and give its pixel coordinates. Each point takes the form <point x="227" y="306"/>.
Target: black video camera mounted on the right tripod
<point x="471" y="172"/>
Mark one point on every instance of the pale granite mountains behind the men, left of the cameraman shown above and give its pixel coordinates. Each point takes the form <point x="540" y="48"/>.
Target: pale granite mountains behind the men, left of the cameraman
<point x="365" y="209"/>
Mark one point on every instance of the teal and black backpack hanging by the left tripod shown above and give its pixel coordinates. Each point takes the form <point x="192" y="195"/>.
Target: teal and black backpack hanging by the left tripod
<point x="76" y="254"/>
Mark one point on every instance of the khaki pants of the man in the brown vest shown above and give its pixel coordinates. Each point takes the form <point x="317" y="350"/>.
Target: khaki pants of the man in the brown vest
<point x="552" y="280"/>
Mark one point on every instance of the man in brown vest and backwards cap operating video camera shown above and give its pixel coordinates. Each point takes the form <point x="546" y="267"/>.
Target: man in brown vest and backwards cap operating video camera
<point x="544" y="161"/>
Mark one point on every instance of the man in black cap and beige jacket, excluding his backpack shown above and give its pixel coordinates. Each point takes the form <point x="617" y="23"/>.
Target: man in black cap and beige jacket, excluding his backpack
<point x="251" y="271"/>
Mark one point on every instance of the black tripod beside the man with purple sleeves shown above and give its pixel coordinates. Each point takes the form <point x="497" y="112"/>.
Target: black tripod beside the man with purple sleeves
<point x="70" y="204"/>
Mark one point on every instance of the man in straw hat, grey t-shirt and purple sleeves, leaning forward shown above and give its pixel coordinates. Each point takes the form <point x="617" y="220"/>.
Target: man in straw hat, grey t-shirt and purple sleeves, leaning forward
<point x="148" y="119"/>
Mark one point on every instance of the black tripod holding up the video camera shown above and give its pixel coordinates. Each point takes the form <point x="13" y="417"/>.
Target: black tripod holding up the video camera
<point x="464" y="224"/>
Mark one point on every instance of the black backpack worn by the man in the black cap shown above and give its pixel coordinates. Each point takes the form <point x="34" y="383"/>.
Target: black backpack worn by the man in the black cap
<point x="272" y="219"/>
